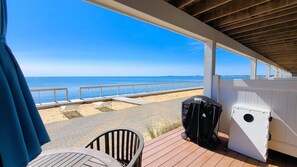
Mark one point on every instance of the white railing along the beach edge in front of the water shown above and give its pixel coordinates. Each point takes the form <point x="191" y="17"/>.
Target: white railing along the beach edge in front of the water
<point x="43" y="95"/>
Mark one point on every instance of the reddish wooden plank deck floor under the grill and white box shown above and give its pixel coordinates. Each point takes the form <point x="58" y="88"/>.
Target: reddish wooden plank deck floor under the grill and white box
<point x="171" y="150"/>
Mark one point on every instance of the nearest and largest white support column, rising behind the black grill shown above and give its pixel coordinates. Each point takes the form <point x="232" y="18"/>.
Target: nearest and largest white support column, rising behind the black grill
<point x="209" y="66"/>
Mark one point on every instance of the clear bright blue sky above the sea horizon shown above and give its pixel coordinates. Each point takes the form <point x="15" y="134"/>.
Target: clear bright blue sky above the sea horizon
<point x="75" y="38"/>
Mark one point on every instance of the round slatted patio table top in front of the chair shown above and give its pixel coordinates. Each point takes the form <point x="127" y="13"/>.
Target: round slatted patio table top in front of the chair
<point x="74" y="157"/>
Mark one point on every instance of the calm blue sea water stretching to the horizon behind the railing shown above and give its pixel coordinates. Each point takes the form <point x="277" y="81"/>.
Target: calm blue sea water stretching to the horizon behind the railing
<point x="73" y="84"/>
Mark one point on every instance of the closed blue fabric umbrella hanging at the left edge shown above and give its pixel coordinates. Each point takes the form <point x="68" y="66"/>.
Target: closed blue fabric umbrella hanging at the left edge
<point x="22" y="131"/>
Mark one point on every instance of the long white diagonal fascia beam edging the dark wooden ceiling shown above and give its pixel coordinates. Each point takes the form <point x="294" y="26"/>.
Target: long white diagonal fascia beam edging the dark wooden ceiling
<point x="161" y="13"/>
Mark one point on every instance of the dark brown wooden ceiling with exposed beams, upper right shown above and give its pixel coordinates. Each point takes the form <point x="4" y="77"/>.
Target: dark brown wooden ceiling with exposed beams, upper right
<point x="268" y="27"/>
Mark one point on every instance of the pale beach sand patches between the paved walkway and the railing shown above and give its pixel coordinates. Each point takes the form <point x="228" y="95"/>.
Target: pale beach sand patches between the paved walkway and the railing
<point x="54" y="114"/>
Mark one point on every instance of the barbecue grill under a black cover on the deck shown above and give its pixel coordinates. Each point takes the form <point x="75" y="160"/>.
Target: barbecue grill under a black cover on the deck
<point x="200" y="116"/>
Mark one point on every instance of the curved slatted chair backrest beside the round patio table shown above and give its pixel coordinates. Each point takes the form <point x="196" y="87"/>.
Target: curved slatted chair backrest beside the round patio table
<point x="125" y="145"/>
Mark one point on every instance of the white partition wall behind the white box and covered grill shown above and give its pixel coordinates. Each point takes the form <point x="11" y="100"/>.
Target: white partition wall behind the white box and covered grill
<point x="279" y="96"/>
